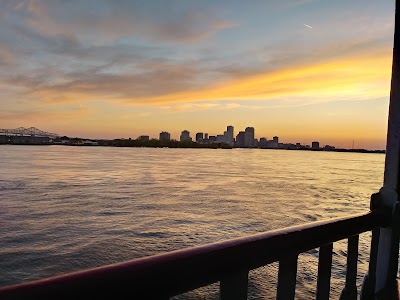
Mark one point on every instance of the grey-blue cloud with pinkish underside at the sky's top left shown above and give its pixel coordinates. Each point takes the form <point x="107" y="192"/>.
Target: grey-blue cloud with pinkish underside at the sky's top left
<point x="120" y="19"/>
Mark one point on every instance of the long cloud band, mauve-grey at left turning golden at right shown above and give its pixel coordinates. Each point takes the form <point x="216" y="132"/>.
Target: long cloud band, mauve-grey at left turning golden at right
<point x="362" y="75"/>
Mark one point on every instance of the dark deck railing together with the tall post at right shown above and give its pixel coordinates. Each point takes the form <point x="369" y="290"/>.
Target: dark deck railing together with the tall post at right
<point x="163" y="276"/>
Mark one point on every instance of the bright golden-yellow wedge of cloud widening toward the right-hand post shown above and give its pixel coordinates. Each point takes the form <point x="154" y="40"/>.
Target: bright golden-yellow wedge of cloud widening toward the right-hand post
<point x="362" y="77"/>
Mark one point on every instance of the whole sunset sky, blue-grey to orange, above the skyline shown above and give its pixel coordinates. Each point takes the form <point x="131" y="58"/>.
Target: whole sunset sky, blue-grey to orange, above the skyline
<point x="301" y="70"/>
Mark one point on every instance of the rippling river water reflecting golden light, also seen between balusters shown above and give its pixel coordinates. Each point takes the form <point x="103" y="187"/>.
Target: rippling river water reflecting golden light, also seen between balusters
<point x="64" y="209"/>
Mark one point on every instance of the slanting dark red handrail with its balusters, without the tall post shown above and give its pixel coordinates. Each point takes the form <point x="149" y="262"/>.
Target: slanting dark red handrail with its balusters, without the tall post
<point x="165" y="275"/>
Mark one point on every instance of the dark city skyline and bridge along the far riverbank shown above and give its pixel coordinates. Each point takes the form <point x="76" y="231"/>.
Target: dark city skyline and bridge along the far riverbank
<point x="244" y="139"/>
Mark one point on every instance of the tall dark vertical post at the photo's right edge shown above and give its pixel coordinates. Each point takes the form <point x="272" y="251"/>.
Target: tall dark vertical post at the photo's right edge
<point x="387" y="260"/>
